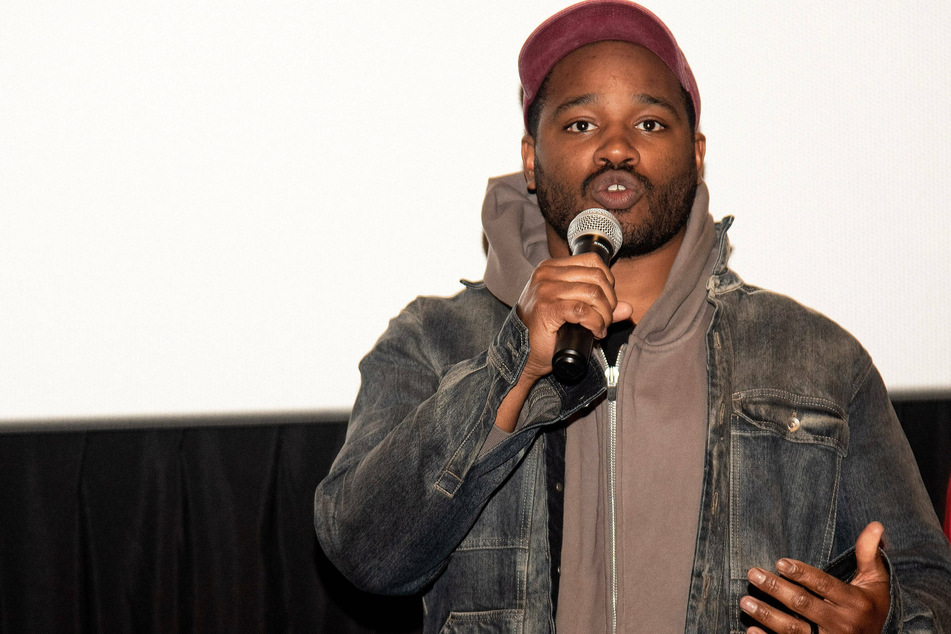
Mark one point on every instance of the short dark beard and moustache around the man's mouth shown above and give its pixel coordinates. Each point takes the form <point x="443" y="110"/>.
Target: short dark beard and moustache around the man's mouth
<point x="668" y="207"/>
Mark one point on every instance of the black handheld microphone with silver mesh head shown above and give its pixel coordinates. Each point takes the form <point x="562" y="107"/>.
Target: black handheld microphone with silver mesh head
<point x="592" y="231"/>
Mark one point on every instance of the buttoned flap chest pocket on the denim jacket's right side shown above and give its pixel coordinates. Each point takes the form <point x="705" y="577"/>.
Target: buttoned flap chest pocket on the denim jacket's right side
<point x="786" y="457"/>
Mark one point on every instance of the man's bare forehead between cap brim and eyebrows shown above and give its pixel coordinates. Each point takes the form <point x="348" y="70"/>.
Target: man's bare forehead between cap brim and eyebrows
<point x="612" y="65"/>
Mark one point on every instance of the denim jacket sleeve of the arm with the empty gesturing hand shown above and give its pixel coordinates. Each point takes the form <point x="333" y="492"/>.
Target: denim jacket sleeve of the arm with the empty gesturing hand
<point x="881" y="482"/>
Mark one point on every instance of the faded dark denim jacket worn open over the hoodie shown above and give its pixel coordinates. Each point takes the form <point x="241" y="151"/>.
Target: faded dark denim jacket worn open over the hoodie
<point x="803" y="450"/>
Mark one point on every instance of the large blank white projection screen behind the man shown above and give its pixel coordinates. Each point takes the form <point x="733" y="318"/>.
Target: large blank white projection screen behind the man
<point x="215" y="207"/>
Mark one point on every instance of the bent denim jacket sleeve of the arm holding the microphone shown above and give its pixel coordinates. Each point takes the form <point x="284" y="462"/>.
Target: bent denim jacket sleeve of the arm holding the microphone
<point x="410" y="481"/>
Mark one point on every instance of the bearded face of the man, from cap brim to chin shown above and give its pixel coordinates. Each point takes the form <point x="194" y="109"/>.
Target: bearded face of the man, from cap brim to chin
<point x="613" y="133"/>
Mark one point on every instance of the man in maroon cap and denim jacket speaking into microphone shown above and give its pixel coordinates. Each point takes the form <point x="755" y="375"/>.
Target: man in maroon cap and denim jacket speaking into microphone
<point x="724" y="445"/>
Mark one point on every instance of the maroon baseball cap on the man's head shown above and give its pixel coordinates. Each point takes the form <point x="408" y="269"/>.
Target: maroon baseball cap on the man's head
<point x="597" y="21"/>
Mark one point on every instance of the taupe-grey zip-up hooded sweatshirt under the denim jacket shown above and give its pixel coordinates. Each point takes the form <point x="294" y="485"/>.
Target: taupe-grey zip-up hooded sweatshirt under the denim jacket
<point x="630" y="520"/>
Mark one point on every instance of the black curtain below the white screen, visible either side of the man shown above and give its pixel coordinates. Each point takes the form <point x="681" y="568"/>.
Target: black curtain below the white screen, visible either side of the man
<point x="208" y="528"/>
